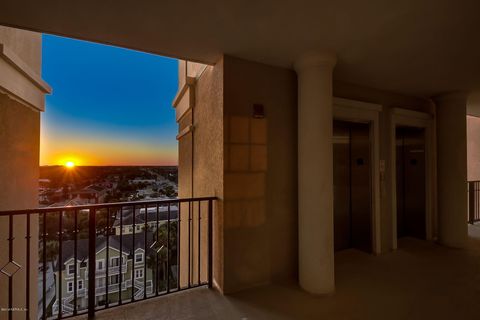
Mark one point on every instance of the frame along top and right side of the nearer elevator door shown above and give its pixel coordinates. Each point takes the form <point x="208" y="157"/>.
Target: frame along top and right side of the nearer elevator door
<point x="356" y="111"/>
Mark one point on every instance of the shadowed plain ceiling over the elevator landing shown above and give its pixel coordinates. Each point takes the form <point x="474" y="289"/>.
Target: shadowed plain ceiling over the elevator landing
<point x="415" y="47"/>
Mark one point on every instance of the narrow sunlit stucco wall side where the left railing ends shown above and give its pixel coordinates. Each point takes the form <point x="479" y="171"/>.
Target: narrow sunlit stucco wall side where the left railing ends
<point x="208" y="159"/>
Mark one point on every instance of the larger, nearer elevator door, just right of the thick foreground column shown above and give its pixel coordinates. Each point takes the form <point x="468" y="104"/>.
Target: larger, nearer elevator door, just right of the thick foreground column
<point x="352" y="186"/>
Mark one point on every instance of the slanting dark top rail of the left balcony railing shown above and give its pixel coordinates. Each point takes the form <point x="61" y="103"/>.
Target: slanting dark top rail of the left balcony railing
<point x="102" y="206"/>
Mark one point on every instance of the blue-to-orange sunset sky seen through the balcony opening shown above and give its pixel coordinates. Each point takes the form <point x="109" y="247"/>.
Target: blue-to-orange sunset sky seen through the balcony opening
<point x="109" y="105"/>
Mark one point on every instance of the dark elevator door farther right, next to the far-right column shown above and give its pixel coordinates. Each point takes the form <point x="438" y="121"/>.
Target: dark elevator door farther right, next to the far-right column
<point x="410" y="162"/>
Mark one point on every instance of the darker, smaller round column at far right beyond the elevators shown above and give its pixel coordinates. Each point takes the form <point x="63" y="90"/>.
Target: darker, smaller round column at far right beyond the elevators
<point x="452" y="169"/>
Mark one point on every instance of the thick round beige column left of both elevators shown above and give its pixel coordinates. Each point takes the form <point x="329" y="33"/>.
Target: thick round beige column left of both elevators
<point x="315" y="172"/>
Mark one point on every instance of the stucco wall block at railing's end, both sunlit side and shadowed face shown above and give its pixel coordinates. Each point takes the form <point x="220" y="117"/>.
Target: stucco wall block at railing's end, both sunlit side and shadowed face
<point x="248" y="163"/>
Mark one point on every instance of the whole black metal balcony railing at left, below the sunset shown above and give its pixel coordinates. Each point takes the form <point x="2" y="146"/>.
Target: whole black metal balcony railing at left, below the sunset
<point x="94" y="257"/>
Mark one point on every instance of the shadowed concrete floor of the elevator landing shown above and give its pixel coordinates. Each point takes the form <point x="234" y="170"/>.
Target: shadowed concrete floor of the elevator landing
<point x="421" y="280"/>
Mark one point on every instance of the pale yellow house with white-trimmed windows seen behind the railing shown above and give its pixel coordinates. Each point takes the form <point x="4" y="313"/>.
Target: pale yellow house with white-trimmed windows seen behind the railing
<point x="123" y="263"/>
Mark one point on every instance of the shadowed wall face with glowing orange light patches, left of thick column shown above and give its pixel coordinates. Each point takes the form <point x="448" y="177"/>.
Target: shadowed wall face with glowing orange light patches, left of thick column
<point x="260" y="222"/>
